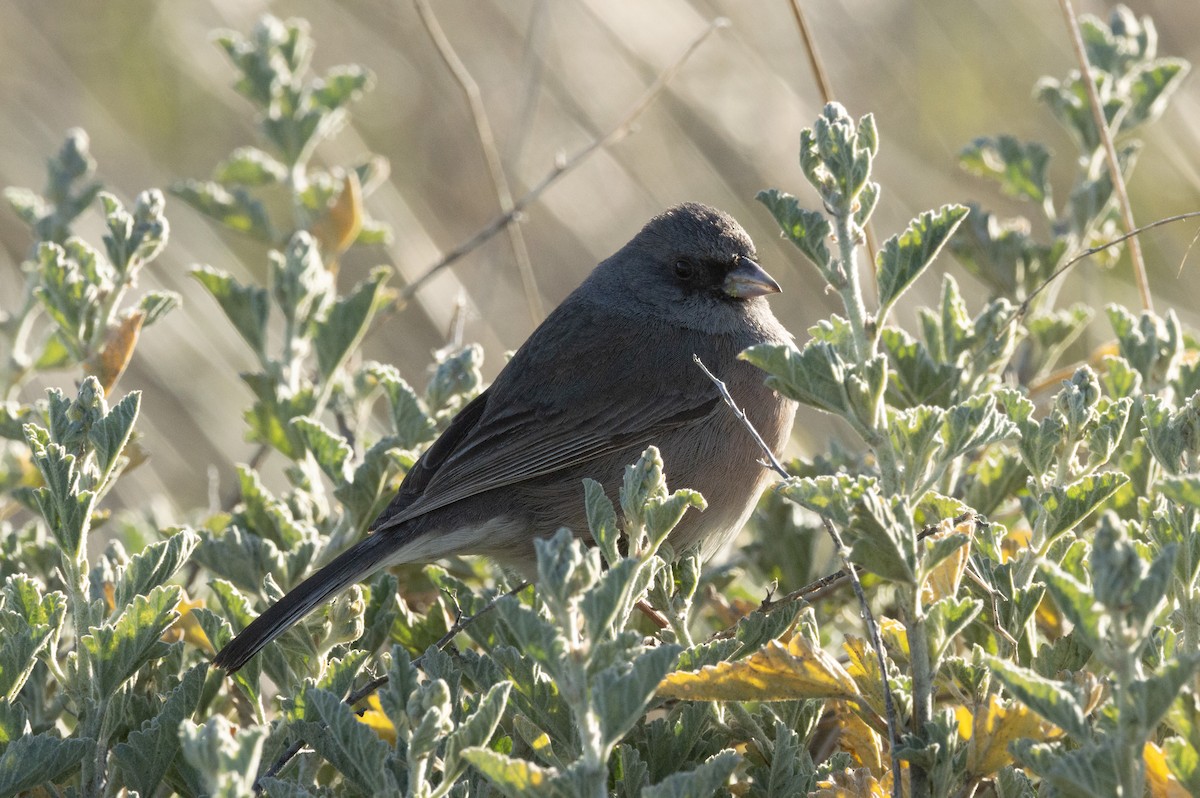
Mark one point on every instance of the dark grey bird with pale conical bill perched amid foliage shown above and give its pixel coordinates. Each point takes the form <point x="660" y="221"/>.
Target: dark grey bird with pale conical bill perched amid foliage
<point x="607" y="375"/>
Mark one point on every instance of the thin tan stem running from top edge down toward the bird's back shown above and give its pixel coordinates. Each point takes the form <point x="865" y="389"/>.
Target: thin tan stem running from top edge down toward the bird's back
<point x="491" y="154"/>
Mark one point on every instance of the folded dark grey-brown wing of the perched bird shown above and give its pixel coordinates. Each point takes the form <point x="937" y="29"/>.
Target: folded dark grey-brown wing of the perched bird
<point x="533" y="423"/>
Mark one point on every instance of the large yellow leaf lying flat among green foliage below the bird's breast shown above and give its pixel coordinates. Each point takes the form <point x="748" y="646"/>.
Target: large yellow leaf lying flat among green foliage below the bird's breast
<point x="776" y="673"/>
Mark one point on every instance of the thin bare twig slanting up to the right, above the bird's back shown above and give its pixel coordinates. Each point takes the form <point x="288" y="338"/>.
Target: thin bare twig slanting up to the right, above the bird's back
<point x="565" y="166"/>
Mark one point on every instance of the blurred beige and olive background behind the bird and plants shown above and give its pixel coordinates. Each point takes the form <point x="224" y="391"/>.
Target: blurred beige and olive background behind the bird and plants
<point x="154" y="93"/>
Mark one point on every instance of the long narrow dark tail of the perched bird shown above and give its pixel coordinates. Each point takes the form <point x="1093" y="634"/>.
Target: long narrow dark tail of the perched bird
<point x="349" y="568"/>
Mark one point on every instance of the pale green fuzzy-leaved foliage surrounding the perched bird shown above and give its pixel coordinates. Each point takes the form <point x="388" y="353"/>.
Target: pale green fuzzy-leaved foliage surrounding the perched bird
<point x="554" y="691"/>
